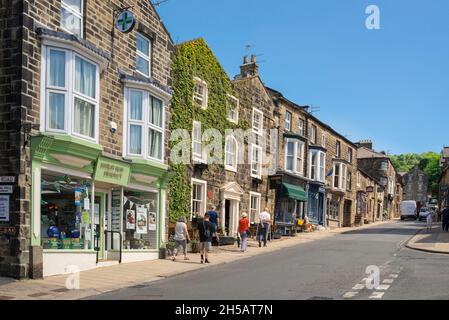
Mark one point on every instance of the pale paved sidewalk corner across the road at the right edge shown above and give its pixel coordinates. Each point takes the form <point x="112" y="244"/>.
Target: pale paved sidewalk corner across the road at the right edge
<point x="436" y="241"/>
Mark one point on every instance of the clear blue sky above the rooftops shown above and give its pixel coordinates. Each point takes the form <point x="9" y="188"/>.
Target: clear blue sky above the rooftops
<point x="389" y="85"/>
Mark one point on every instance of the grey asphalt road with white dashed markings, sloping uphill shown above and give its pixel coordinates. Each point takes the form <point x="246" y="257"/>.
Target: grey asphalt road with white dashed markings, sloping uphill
<point x="331" y="268"/>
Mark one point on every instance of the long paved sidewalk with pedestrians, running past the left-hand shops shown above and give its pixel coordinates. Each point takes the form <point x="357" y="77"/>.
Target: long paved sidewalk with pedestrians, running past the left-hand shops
<point x="105" y="279"/>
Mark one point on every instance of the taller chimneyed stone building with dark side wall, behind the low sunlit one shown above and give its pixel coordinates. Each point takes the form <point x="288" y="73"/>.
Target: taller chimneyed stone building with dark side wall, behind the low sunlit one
<point x="379" y="166"/>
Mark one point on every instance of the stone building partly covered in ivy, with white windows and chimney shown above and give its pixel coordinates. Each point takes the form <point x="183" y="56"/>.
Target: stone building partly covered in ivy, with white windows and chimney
<point x="204" y="99"/>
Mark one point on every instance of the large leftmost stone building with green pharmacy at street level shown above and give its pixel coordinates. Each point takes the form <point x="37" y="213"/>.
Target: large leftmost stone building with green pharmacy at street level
<point x="84" y="108"/>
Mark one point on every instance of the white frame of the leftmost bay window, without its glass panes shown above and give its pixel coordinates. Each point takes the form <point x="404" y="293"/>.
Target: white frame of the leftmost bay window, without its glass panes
<point x="69" y="92"/>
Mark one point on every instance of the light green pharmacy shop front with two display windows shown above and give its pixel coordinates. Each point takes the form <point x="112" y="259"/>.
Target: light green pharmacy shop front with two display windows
<point x="89" y="210"/>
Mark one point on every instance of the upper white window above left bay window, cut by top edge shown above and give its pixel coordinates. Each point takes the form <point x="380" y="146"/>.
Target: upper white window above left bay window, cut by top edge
<point x="72" y="16"/>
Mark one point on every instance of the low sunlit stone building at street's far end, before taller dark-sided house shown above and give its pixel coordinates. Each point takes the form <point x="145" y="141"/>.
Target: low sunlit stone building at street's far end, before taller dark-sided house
<point x="370" y="198"/>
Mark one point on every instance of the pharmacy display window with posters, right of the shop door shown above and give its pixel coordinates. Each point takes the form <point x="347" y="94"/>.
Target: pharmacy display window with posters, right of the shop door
<point x="140" y="220"/>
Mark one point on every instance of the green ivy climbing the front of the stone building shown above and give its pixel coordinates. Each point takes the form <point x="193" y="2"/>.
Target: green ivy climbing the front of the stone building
<point x="195" y="59"/>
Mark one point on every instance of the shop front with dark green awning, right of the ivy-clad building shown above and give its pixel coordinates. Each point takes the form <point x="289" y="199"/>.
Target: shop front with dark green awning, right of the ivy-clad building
<point x="291" y="202"/>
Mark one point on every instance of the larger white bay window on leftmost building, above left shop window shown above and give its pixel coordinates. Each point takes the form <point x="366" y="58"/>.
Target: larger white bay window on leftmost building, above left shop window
<point x="71" y="93"/>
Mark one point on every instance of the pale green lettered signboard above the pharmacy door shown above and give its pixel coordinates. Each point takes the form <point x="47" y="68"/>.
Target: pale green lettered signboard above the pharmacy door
<point x="112" y="171"/>
